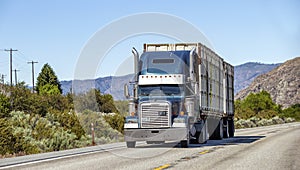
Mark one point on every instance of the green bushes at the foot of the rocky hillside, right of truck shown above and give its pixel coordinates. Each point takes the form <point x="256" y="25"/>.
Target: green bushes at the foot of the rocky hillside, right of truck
<point x="259" y="110"/>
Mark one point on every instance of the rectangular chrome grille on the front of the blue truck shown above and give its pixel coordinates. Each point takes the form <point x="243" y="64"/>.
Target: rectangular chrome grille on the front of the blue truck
<point x="155" y="115"/>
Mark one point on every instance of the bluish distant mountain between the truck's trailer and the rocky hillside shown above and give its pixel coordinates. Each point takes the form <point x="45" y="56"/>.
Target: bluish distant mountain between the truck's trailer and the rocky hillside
<point x="244" y="74"/>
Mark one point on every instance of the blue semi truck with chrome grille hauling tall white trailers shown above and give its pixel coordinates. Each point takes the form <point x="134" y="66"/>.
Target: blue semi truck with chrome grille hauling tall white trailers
<point x="181" y="92"/>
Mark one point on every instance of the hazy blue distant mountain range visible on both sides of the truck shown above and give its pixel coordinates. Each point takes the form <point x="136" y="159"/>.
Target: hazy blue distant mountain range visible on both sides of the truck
<point x="244" y="75"/>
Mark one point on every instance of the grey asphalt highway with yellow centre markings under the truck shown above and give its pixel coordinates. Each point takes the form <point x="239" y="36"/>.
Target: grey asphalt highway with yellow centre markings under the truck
<point x="270" y="147"/>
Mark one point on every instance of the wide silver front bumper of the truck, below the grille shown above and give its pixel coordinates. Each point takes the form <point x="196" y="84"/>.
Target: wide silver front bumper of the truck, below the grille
<point x="168" y="134"/>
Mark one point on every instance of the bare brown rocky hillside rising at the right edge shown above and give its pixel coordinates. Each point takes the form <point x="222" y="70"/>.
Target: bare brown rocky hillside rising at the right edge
<point x="283" y="84"/>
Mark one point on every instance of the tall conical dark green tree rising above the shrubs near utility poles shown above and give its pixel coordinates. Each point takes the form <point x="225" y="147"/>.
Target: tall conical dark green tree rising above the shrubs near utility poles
<point x="48" y="78"/>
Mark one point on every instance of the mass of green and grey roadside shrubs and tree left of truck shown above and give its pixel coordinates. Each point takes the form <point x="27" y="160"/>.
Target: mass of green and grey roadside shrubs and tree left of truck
<point x="46" y="120"/>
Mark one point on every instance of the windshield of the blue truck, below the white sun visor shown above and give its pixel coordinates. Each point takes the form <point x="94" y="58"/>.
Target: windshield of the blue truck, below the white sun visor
<point x="160" y="90"/>
